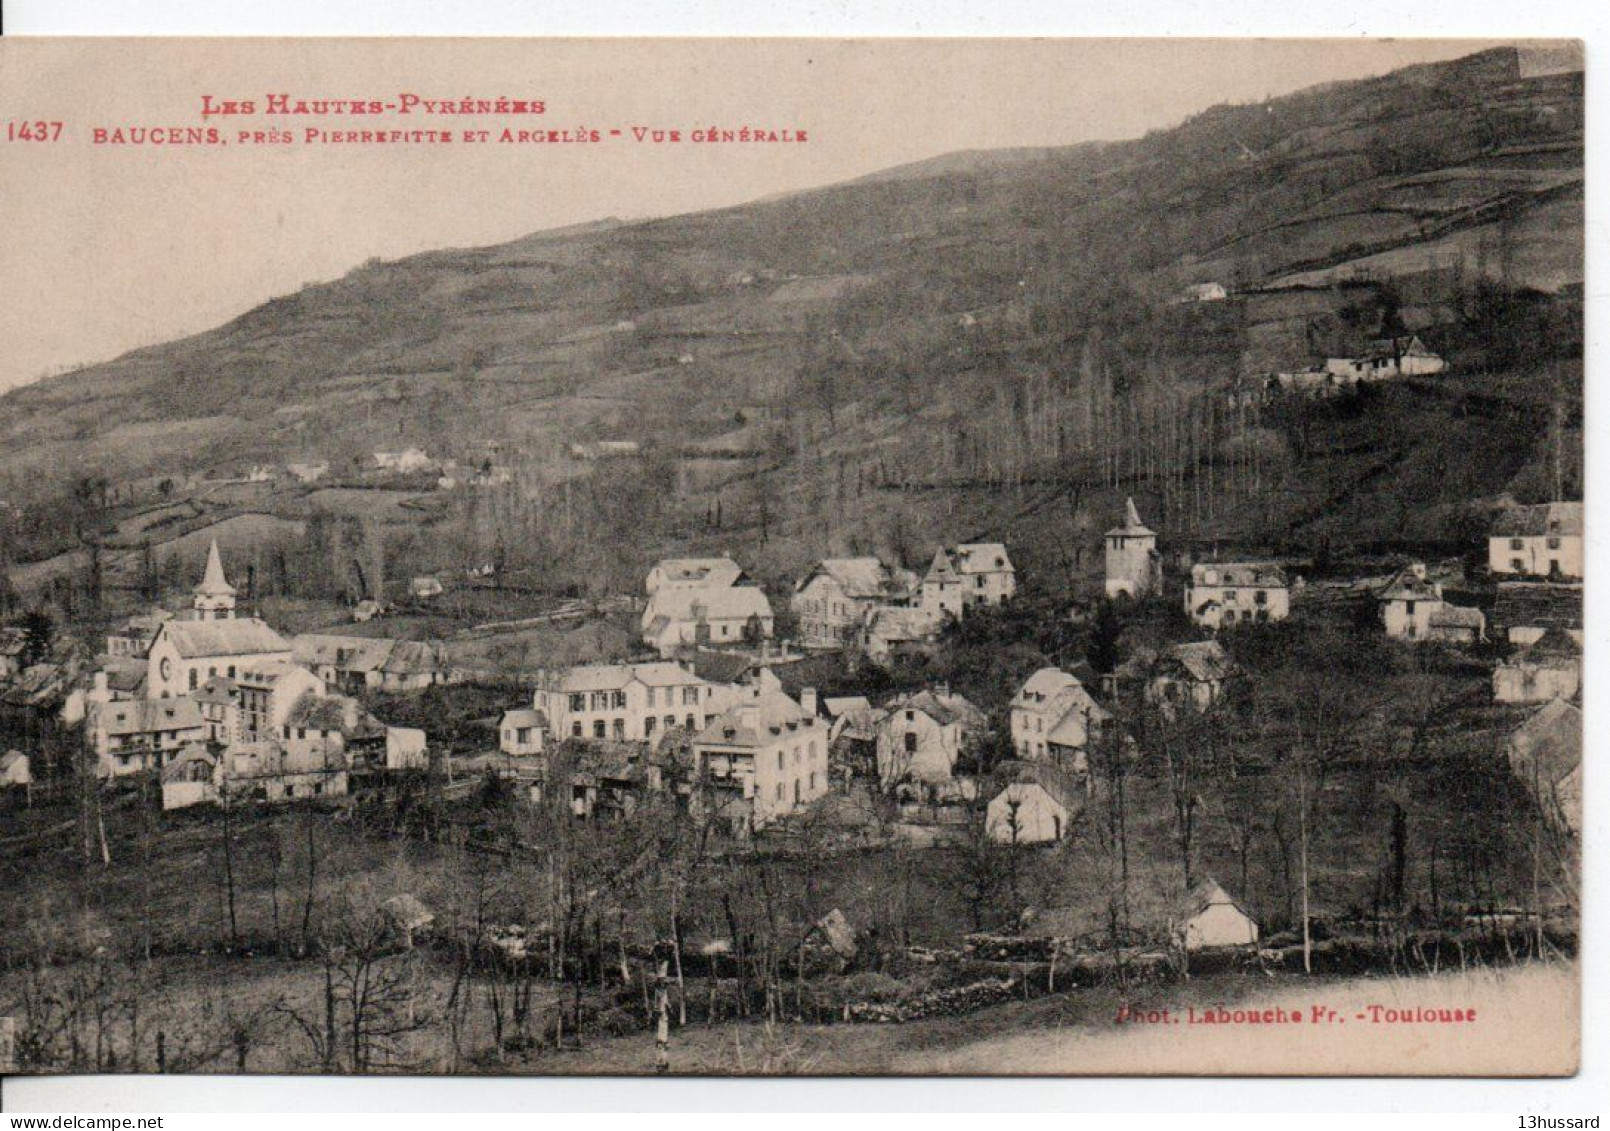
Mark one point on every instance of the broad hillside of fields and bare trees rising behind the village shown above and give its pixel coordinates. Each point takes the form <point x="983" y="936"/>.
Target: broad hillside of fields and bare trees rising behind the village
<point x="991" y="336"/>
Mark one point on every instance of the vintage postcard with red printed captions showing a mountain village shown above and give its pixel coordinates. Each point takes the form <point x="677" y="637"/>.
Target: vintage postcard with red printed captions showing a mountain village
<point x="791" y="557"/>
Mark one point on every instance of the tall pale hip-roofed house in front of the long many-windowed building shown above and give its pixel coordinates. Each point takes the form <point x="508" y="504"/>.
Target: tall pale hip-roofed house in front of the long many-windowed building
<point x="767" y="752"/>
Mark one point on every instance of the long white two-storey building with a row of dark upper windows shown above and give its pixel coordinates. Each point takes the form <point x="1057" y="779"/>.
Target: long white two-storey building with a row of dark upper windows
<point x="629" y="702"/>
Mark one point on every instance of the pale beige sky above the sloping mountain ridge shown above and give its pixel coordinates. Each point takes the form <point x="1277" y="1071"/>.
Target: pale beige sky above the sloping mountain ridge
<point x="114" y="247"/>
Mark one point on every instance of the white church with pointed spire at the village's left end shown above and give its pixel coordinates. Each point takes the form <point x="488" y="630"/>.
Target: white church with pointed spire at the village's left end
<point x="213" y="642"/>
